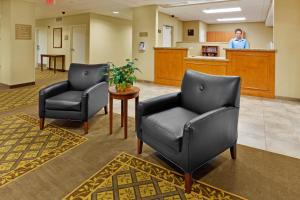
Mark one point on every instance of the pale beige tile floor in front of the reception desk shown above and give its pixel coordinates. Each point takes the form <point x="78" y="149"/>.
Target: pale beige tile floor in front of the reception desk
<point x="272" y="125"/>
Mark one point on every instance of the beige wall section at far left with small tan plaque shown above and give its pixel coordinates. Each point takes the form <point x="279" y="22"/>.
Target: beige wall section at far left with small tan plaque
<point x="17" y="61"/>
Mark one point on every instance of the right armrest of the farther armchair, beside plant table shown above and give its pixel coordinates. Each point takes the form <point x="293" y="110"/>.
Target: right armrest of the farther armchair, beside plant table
<point x="94" y="98"/>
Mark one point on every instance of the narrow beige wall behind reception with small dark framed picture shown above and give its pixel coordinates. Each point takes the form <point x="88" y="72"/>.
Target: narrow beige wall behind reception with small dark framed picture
<point x="191" y="25"/>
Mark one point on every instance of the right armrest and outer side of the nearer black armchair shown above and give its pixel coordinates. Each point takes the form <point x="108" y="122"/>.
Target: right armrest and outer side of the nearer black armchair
<point x="210" y="133"/>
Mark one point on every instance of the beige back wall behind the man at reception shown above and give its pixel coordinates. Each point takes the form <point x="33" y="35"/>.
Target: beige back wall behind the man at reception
<point x="258" y="35"/>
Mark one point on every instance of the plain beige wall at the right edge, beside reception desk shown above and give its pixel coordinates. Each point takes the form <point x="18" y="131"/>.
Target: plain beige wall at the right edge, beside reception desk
<point x="287" y="43"/>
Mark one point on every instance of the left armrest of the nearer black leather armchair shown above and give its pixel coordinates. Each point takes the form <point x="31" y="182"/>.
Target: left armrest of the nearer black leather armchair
<point x="155" y="105"/>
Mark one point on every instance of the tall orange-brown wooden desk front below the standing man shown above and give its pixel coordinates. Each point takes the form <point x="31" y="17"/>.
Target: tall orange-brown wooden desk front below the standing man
<point x="256" y="69"/>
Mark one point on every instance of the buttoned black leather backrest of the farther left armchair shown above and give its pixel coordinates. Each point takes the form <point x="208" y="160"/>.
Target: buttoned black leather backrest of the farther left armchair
<point x="83" y="76"/>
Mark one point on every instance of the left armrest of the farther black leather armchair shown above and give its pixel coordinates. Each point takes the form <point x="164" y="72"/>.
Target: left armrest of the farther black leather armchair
<point x="50" y="91"/>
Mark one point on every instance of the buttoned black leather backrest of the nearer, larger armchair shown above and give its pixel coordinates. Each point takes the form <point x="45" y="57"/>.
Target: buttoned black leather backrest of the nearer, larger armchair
<point x="202" y="92"/>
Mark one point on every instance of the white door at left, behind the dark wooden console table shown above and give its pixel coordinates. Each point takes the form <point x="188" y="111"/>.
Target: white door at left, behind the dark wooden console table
<point x="41" y="44"/>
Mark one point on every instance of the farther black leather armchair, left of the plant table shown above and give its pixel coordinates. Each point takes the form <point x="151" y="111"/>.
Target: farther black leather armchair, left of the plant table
<point x="79" y="98"/>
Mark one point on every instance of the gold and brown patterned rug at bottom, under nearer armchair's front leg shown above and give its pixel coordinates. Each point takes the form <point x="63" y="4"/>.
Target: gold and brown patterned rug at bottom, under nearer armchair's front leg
<point x="129" y="177"/>
